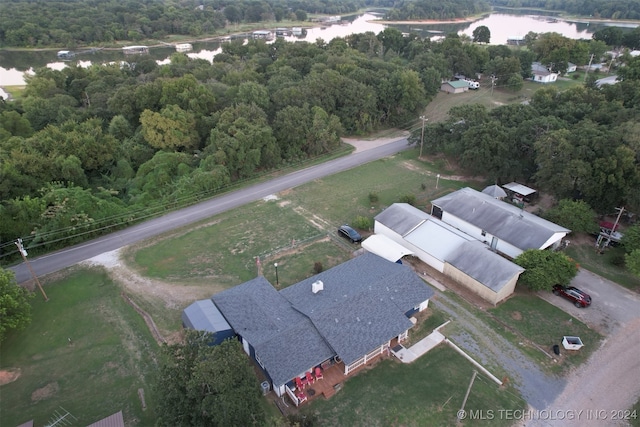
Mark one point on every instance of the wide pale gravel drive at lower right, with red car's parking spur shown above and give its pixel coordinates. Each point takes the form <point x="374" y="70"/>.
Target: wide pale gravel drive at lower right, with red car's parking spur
<point x="603" y="390"/>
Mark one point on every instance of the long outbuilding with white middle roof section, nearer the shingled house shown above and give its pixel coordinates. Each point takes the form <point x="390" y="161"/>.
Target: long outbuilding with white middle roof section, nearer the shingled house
<point x="450" y="251"/>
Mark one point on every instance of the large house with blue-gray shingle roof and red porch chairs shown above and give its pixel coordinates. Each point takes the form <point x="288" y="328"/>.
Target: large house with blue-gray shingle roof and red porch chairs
<point x="349" y="313"/>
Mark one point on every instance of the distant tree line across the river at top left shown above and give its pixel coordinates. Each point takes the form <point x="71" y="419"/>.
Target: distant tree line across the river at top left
<point x="72" y="23"/>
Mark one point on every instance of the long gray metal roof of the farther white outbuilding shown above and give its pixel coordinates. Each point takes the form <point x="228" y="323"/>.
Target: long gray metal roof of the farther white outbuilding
<point x="507" y="222"/>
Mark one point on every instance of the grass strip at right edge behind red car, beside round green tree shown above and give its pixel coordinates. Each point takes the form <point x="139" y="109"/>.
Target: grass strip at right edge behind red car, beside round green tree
<point x="608" y="265"/>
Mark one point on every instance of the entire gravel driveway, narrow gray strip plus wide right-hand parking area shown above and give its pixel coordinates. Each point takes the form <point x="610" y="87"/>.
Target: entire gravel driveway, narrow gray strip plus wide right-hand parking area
<point x="599" y="392"/>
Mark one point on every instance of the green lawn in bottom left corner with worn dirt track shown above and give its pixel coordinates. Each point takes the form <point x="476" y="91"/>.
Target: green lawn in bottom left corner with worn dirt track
<point x="99" y="372"/>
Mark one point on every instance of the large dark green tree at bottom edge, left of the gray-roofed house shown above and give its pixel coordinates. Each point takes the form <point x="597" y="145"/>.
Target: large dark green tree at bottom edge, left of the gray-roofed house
<point x="200" y="384"/>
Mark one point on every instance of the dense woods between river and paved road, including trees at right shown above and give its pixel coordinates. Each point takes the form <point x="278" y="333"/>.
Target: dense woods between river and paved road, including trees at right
<point x="88" y="150"/>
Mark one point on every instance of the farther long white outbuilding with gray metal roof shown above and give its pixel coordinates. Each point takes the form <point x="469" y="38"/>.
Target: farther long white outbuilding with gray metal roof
<point x="505" y="227"/>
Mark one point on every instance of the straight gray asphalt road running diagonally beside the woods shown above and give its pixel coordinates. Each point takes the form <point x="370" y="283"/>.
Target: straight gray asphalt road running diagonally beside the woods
<point x="70" y="256"/>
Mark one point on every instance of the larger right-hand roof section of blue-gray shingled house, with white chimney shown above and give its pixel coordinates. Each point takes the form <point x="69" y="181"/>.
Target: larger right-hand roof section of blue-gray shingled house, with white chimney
<point x="362" y="305"/>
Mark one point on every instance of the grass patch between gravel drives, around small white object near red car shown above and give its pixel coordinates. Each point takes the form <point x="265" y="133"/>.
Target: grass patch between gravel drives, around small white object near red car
<point x="526" y="315"/>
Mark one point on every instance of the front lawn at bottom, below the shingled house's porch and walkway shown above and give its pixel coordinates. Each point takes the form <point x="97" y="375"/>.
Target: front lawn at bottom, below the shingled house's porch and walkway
<point x="427" y="392"/>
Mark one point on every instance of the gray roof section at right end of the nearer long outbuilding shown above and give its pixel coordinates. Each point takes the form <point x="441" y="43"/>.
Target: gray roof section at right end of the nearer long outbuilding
<point x="476" y="260"/>
